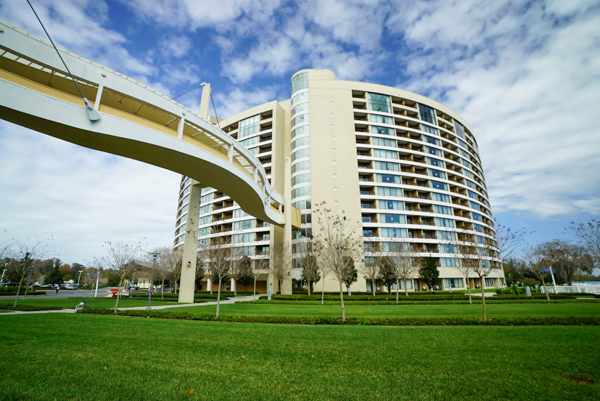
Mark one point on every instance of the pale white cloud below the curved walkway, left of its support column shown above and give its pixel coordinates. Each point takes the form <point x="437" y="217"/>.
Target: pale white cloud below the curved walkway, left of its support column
<point x="81" y="197"/>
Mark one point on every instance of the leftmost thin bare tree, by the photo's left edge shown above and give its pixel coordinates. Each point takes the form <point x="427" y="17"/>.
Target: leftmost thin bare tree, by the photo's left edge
<point x="24" y="252"/>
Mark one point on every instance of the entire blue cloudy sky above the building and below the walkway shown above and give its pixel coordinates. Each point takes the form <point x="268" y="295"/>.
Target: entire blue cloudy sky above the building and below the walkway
<point x="525" y="74"/>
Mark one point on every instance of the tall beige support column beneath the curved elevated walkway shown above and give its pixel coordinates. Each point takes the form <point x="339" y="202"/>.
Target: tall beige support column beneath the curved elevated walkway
<point x="190" y="247"/>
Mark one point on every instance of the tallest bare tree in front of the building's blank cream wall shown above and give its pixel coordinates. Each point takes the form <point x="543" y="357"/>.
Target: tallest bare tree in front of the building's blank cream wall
<point x="340" y="244"/>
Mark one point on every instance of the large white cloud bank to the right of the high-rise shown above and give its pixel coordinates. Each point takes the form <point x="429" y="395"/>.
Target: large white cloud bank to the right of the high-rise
<point x="527" y="82"/>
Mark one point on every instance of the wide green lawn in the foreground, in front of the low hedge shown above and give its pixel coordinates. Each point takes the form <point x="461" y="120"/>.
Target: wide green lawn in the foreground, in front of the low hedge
<point x="90" y="357"/>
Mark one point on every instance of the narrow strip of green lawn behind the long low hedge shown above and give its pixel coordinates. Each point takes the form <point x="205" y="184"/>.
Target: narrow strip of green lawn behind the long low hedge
<point x="465" y="310"/>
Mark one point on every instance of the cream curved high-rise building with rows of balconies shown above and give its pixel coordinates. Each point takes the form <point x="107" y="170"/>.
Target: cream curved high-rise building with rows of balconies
<point x="404" y="165"/>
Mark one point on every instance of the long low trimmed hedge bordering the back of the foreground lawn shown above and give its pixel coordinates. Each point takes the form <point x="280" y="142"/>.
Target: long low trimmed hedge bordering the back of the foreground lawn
<point x="366" y="321"/>
